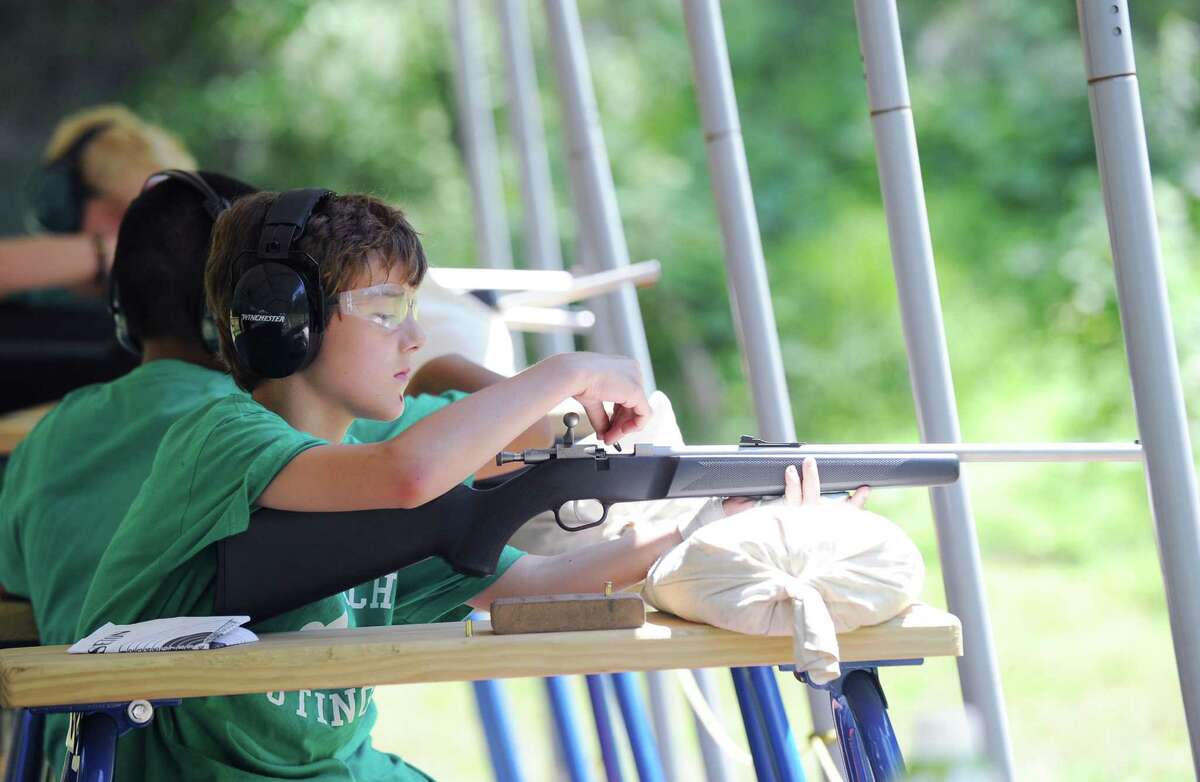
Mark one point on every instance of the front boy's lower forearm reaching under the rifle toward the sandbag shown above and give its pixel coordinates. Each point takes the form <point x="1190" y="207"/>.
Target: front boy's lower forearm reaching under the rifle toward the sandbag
<point x="623" y="561"/>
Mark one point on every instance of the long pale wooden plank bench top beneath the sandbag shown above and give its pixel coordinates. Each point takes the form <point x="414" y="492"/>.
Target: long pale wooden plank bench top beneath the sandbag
<point x="328" y="659"/>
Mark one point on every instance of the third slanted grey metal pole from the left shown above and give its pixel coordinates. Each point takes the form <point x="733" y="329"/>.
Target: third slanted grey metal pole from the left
<point x="597" y="195"/>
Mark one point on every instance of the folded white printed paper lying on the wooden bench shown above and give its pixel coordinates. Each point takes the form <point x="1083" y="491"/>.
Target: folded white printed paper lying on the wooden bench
<point x="177" y="634"/>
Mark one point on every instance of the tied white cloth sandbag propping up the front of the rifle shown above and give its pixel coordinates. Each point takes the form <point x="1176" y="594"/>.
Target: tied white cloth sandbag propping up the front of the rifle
<point x="808" y="572"/>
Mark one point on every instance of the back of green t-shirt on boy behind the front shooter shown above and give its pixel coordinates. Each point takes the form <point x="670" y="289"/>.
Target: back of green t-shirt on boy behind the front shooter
<point x="73" y="479"/>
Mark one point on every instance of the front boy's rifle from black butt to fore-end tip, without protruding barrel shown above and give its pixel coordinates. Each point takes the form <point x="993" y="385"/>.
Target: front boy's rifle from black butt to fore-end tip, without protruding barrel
<point x="289" y="560"/>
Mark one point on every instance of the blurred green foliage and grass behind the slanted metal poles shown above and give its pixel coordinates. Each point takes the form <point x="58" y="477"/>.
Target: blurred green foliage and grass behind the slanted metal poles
<point x="359" y="95"/>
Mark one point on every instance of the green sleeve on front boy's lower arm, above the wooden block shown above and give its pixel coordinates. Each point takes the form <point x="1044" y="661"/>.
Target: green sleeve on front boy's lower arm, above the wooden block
<point x="442" y="593"/>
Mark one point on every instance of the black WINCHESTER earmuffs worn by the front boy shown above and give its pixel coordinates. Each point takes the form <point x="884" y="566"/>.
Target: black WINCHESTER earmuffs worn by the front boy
<point x="279" y="311"/>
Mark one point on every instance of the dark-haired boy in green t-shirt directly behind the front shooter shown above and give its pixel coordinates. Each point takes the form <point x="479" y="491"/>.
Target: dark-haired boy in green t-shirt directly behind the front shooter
<point x="74" y="478"/>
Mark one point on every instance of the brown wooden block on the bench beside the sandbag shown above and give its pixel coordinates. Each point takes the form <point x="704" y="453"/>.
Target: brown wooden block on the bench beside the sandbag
<point x="565" y="613"/>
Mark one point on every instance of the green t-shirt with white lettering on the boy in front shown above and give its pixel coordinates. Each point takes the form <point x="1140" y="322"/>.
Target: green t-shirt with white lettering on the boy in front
<point x="209" y="471"/>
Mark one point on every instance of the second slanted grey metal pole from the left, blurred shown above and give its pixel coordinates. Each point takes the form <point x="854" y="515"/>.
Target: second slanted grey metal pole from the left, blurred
<point x="537" y="191"/>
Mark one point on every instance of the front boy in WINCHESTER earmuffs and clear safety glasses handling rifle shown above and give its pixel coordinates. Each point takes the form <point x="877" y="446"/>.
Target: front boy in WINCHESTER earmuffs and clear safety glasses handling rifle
<point x="338" y="308"/>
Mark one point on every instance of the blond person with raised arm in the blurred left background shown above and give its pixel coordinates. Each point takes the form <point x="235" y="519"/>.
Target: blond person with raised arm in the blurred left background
<point x="56" y="330"/>
